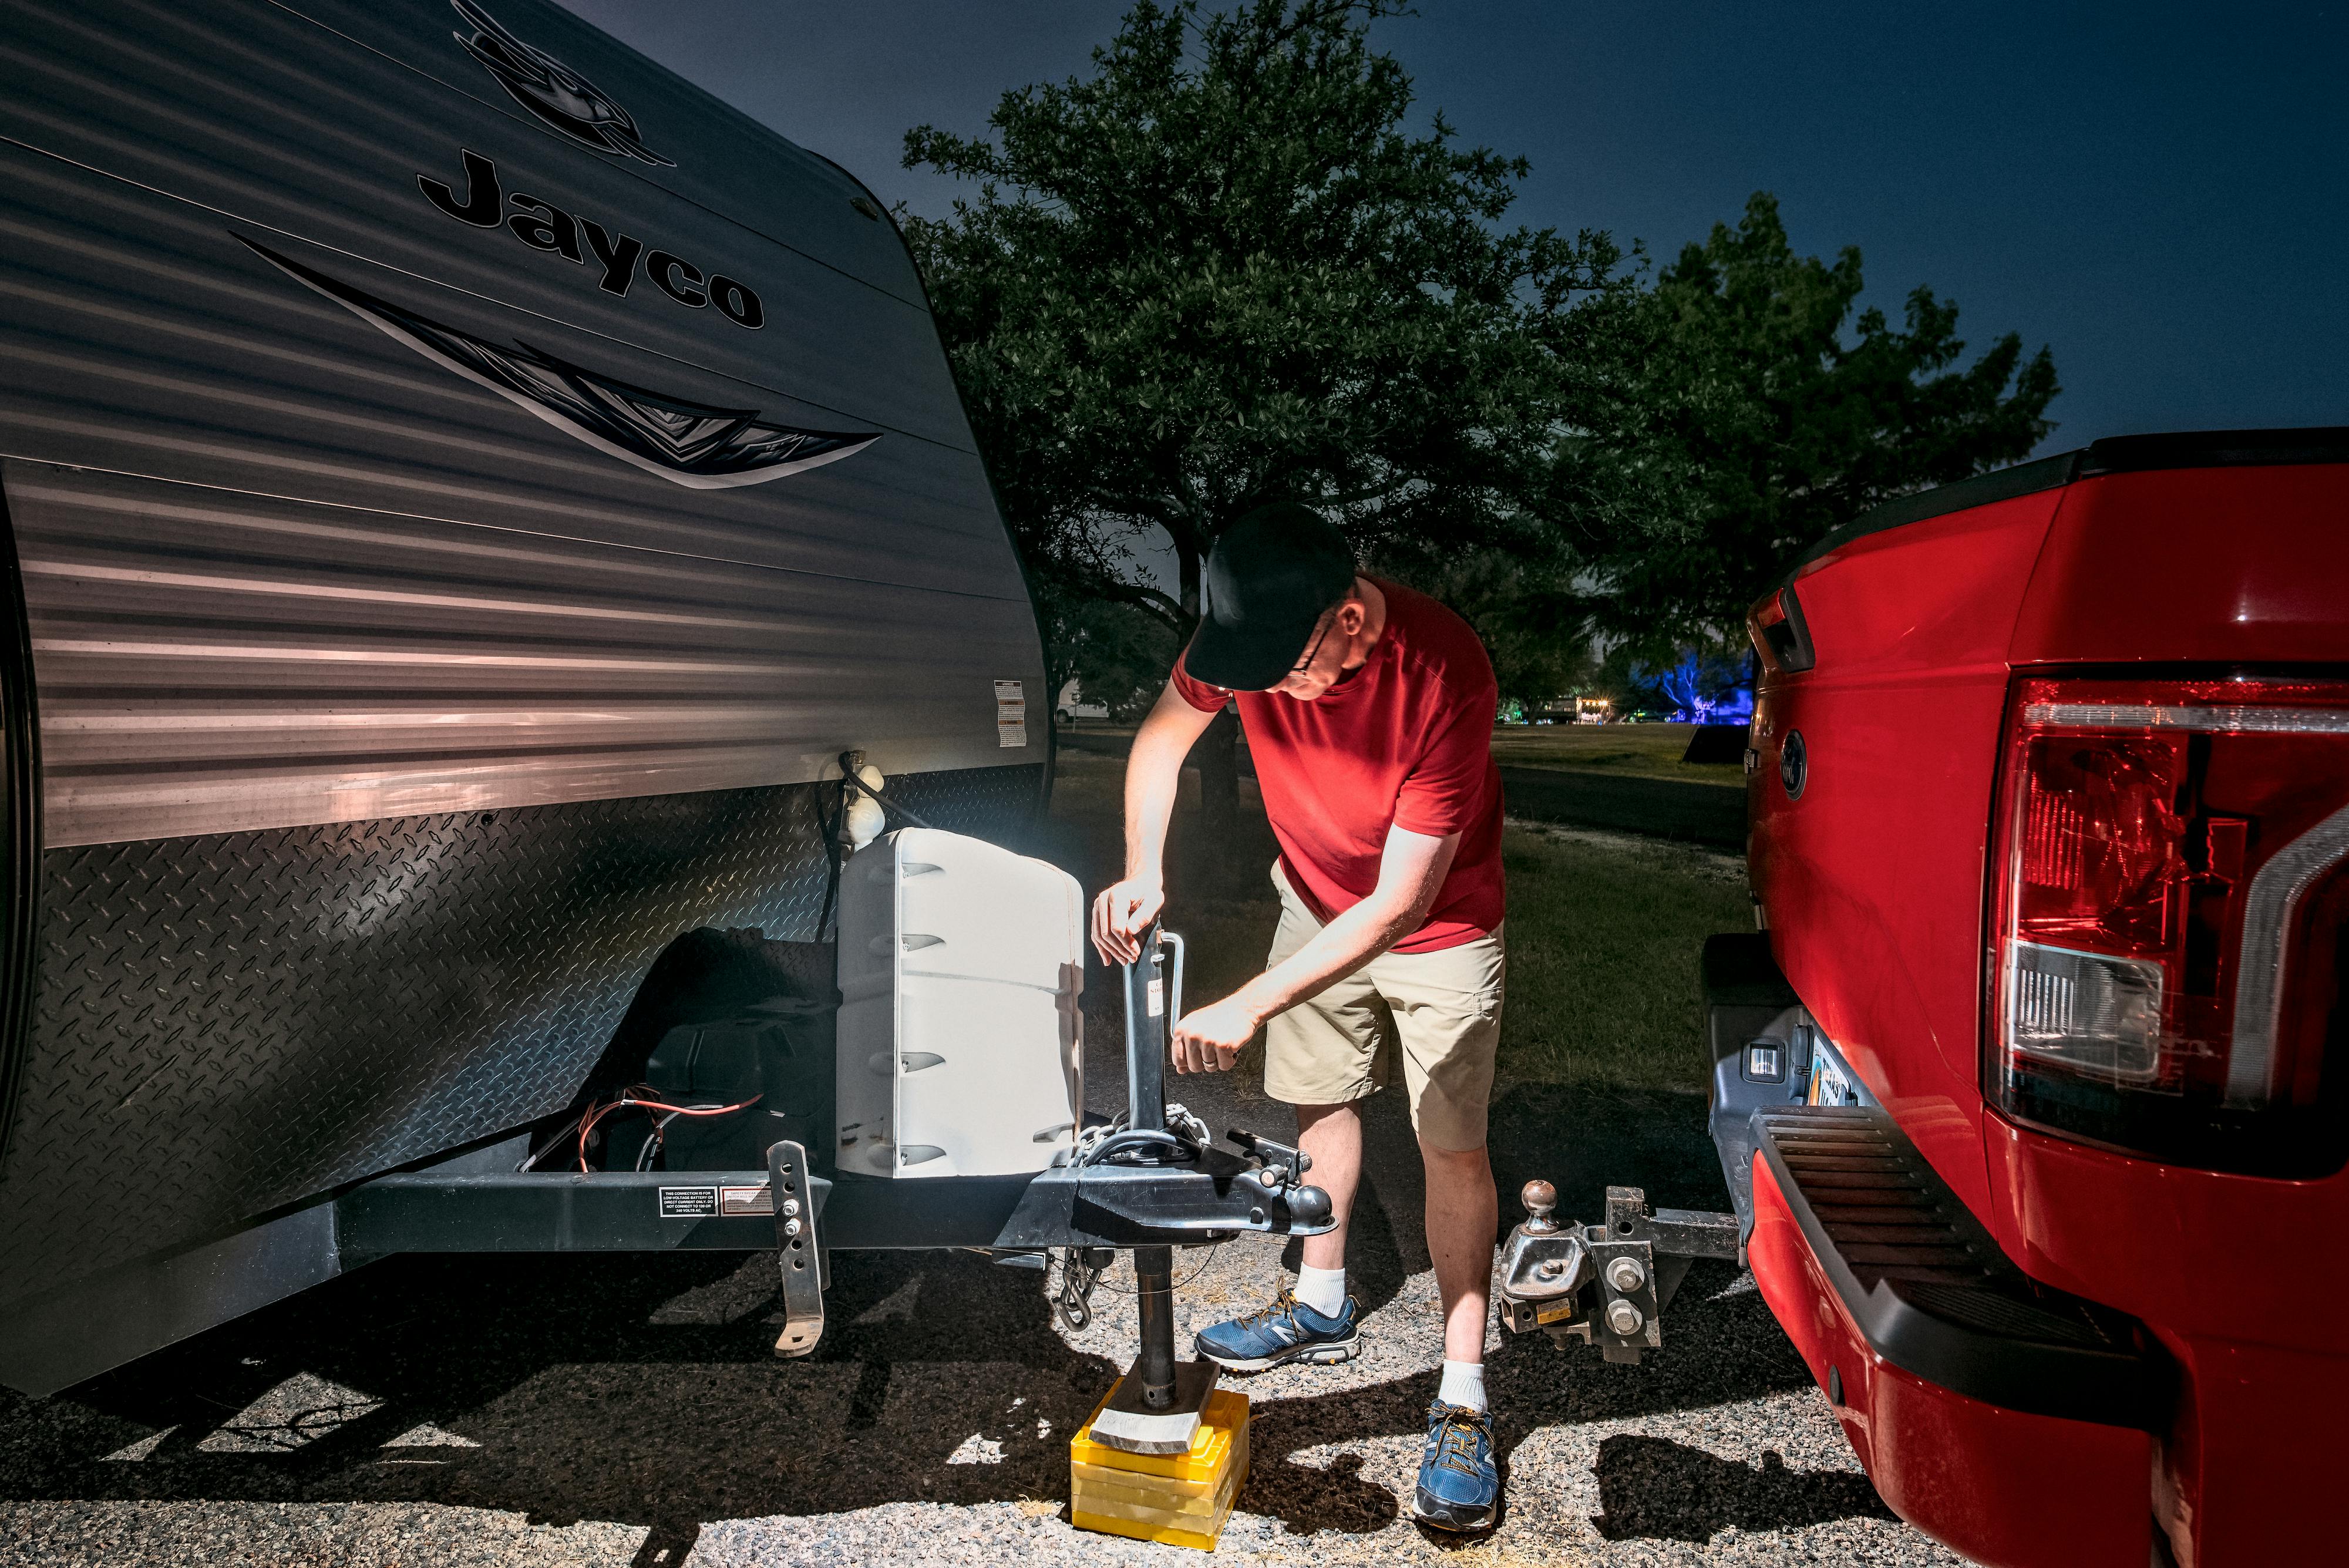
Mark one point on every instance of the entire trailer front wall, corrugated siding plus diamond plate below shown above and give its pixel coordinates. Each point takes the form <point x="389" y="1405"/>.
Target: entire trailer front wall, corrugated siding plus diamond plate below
<point x="429" y="616"/>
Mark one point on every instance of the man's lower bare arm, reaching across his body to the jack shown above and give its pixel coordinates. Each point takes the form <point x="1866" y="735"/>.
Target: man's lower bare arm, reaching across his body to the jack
<point x="1411" y="874"/>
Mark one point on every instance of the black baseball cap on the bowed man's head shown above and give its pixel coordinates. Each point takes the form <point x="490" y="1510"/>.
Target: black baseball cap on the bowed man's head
<point x="1270" y="579"/>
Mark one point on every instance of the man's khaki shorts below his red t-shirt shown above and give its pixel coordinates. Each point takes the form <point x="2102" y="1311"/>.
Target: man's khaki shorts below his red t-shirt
<point x="1436" y="1011"/>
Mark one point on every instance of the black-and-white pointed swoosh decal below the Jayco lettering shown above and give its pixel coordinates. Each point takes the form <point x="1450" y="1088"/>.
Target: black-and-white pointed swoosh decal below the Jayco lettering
<point x="685" y="442"/>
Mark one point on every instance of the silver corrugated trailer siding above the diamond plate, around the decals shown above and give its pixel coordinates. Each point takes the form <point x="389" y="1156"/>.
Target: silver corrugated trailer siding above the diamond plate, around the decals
<point x="309" y="574"/>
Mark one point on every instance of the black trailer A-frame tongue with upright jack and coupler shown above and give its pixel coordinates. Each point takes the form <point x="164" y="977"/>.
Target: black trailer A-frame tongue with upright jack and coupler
<point x="1147" y="1182"/>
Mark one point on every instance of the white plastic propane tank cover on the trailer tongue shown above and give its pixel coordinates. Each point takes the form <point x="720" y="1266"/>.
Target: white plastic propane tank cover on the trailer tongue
<point x="962" y="1029"/>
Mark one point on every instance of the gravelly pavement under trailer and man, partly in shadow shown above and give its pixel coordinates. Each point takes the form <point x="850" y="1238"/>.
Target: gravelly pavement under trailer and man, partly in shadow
<point x="628" y="1412"/>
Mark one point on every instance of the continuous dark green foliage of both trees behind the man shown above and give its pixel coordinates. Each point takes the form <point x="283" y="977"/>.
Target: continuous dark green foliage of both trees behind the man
<point x="1234" y="262"/>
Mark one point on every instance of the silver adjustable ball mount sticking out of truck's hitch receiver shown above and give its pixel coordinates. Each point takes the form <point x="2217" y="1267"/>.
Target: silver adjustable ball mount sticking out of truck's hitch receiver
<point x="1606" y="1285"/>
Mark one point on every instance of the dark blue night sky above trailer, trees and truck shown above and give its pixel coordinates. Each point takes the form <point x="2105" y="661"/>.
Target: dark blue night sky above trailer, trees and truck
<point x="2155" y="191"/>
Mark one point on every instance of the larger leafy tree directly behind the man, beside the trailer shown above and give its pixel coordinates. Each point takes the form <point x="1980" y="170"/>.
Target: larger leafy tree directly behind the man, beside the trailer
<point x="1223" y="269"/>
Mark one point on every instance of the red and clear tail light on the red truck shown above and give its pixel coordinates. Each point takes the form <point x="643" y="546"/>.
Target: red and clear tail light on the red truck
<point x="2172" y="919"/>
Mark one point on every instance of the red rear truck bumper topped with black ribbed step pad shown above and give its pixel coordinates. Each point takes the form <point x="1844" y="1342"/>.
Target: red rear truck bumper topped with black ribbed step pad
<point x="2010" y="1421"/>
